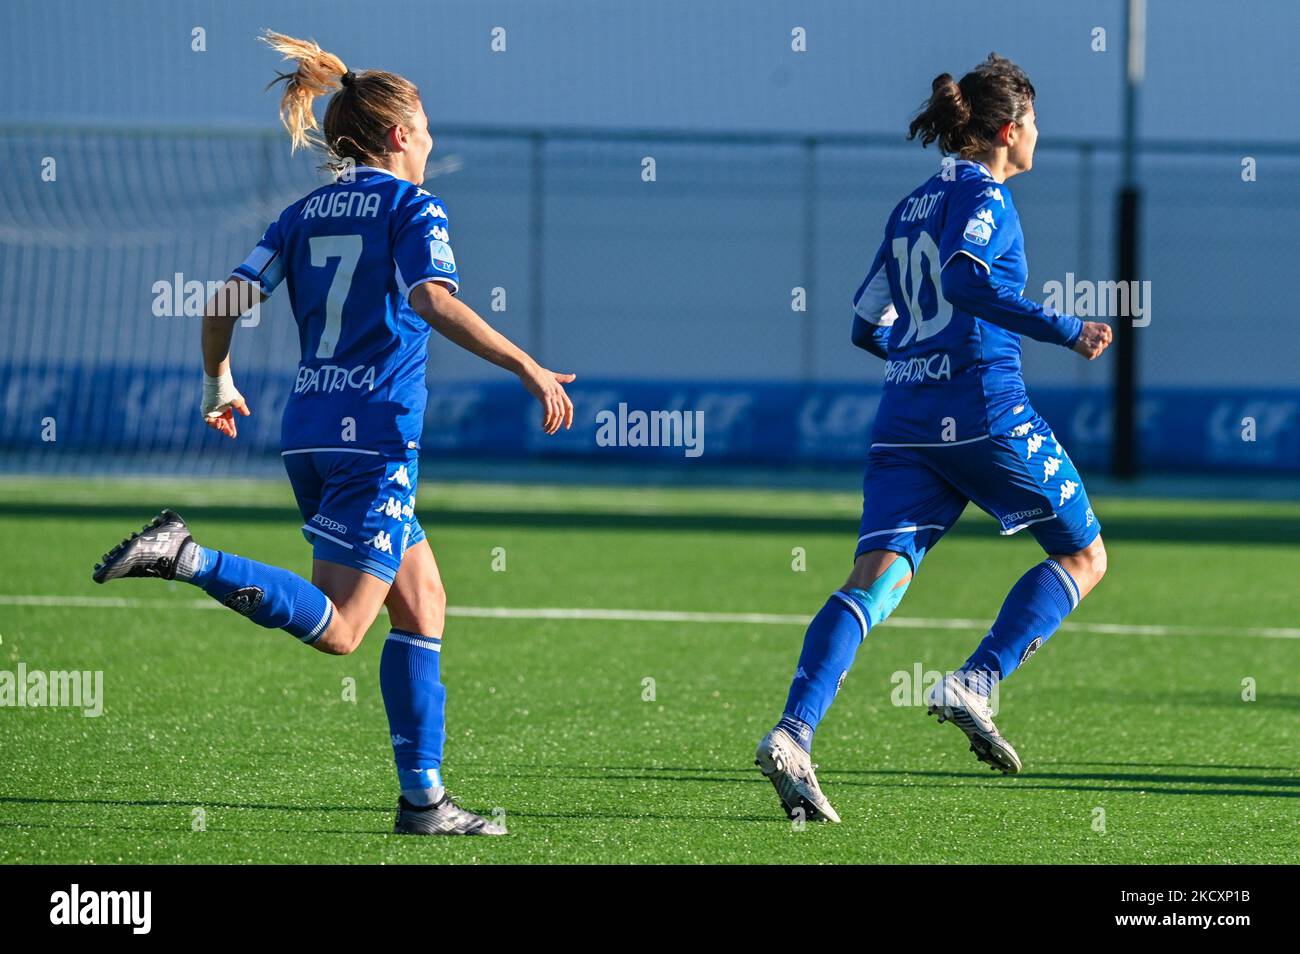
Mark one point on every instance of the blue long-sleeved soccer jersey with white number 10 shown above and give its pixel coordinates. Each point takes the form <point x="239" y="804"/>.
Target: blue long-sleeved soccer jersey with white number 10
<point x="951" y="375"/>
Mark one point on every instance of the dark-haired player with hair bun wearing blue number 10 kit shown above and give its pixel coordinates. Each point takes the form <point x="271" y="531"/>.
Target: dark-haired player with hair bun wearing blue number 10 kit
<point x="943" y="306"/>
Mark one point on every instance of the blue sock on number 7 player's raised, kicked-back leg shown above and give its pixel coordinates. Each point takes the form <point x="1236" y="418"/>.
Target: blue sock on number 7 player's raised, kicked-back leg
<point x="268" y="596"/>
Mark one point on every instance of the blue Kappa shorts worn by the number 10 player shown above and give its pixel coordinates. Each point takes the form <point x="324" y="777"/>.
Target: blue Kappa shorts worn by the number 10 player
<point x="915" y="495"/>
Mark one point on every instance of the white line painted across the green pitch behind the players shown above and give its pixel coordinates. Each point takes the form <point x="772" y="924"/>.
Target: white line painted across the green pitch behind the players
<point x="496" y="613"/>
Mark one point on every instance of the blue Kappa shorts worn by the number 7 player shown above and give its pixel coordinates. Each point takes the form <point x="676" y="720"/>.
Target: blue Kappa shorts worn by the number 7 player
<point x="358" y="508"/>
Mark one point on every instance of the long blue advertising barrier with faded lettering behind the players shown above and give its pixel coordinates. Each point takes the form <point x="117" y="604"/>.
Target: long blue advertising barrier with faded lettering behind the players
<point x="123" y="410"/>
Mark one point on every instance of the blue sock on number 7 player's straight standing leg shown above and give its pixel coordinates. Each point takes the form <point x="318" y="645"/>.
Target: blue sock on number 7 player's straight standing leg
<point x="415" y="700"/>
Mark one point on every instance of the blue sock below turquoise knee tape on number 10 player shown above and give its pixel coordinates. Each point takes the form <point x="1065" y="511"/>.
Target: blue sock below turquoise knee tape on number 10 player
<point x="830" y="645"/>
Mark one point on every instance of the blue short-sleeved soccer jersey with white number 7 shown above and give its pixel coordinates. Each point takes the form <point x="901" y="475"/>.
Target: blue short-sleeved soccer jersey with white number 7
<point x="349" y="255"/>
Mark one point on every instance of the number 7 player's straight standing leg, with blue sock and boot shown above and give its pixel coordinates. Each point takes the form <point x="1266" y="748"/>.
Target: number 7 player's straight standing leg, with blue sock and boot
<point x="410" y="675"/>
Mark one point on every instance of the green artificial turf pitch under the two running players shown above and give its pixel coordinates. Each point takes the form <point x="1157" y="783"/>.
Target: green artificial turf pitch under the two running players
<point x="226" y="743"/>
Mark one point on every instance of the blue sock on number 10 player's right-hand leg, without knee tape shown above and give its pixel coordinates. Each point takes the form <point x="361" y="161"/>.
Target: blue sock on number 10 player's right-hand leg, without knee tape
<point x="1033" y="612"/>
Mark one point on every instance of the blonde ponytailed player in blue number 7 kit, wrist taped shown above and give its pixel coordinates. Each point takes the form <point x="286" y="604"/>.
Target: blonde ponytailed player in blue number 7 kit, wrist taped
<point x="369" y="268"/>
